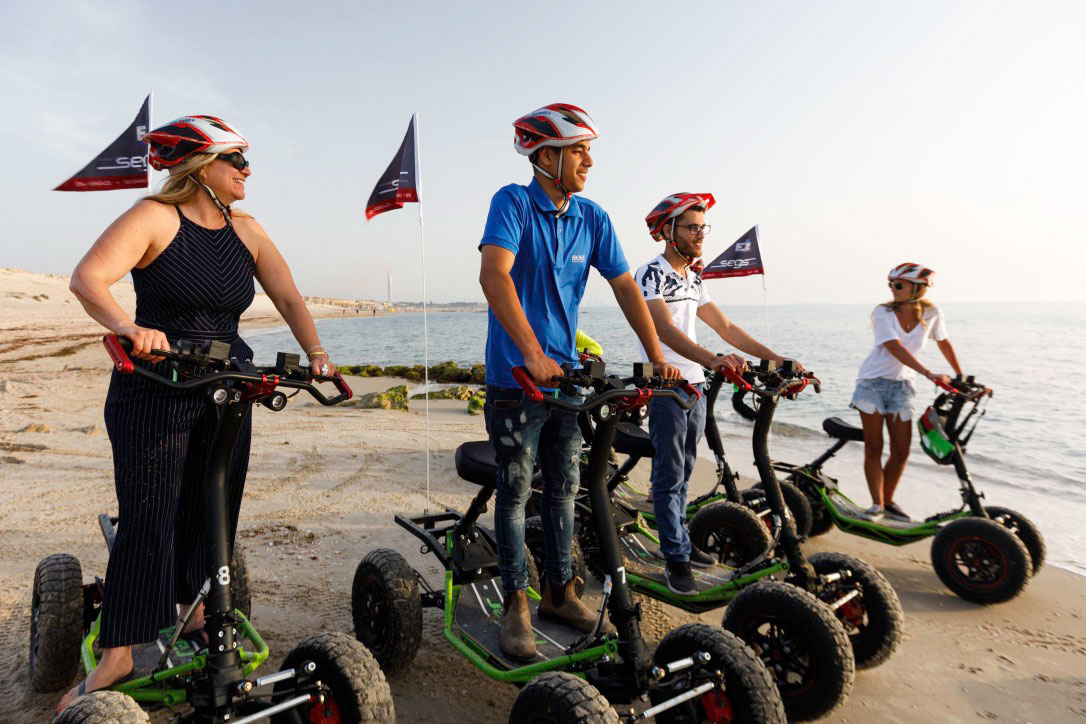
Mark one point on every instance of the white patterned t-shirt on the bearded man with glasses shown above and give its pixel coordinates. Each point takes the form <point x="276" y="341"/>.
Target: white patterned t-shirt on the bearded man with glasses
<point x="684" y="295"/>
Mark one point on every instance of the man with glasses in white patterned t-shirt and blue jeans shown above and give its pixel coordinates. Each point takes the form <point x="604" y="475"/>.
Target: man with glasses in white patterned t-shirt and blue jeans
<point x="676" y="297"/>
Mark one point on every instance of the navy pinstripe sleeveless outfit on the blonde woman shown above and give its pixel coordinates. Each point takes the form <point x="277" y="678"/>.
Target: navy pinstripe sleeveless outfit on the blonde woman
<point x="196" y="289"/>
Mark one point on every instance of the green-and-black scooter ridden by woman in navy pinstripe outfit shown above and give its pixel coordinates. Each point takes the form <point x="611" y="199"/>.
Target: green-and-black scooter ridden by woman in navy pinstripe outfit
<point x="327" y="678"/>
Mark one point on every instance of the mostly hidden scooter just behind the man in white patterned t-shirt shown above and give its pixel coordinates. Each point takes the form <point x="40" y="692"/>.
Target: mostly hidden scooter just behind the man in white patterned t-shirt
<point x="633" y="440"/>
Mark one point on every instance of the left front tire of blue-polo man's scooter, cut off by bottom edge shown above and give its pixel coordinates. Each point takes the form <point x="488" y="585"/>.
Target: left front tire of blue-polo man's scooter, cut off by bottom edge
<point x="558" y="697"/>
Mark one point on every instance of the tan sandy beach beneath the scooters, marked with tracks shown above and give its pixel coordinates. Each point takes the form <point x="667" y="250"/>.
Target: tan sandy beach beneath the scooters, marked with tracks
<point x="324" y="486"/>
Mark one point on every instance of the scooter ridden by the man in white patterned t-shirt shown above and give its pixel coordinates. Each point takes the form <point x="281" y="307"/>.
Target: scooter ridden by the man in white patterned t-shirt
<point x="832" y="615"/>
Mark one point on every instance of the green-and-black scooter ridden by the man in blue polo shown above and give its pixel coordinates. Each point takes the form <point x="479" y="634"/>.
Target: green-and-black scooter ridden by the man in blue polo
<point x="699" y="674"/>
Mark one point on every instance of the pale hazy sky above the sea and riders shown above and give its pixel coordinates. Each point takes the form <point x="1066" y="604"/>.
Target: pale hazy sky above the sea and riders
<point x="857" y="135"/>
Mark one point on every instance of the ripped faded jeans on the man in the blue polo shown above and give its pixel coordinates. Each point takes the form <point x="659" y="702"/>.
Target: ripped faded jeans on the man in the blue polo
<point x="523" y="430"/>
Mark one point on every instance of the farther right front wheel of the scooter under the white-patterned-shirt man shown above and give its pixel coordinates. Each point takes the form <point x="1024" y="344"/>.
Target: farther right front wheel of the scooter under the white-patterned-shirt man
<point x="874" y="619"/>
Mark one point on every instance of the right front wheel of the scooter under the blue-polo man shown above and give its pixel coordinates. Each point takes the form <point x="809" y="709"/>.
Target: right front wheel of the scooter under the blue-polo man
<point x="750" y="693"/>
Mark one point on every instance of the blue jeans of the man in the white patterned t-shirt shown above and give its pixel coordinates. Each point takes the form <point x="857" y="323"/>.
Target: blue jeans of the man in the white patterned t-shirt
<point x="675" y="434"/>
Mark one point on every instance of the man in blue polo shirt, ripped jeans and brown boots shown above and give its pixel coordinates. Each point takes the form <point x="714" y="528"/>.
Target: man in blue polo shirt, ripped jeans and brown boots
<point x="537" y="249"/>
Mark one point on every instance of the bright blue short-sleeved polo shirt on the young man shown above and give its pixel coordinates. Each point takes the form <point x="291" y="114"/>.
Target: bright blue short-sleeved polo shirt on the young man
<point x="550" y="272"/>
